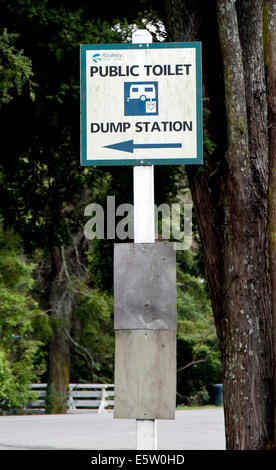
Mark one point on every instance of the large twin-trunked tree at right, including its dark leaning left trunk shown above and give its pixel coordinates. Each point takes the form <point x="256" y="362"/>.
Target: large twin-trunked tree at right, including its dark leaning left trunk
<point x="231" y="204"/>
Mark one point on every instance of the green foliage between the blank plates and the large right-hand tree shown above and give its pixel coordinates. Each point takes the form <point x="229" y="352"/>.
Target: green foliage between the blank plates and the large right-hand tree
<point x="198" y="357"/>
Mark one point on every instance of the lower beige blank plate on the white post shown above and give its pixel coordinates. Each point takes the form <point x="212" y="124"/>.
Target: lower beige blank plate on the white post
<point x="145" y="374"/>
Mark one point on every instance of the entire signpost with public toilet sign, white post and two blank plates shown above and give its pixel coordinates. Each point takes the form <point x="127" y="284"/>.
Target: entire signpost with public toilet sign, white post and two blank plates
<point x="141" y="106"/>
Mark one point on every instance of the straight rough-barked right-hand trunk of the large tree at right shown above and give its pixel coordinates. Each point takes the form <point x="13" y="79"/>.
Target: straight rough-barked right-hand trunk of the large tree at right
<point x="247" y="356"/>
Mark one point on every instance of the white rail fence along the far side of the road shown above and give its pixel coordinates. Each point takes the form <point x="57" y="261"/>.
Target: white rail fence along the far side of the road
<point x="81" y="397"/>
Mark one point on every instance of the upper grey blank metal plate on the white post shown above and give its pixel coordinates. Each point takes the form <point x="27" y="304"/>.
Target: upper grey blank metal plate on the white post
<point x="144" y="286"/>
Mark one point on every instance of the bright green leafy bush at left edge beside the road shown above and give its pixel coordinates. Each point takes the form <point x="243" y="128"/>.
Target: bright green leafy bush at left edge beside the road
<point x="19" y="364"/>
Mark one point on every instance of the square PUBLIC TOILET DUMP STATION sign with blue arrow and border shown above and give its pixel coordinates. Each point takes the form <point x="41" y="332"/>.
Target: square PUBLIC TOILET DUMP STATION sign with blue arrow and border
<point x="141" y="104"/>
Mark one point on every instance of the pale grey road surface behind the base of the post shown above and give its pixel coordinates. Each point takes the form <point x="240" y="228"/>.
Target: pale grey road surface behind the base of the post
<point x="191" y="430"/>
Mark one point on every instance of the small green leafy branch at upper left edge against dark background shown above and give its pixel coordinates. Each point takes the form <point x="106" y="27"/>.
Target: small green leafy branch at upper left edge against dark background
<point x="15" y="69"/>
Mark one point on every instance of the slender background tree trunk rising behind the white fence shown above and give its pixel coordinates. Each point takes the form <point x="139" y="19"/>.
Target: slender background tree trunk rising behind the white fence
<point x="67" y="272"/>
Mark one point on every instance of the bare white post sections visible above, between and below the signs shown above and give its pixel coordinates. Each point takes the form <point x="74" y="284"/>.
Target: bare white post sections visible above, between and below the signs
<point x="144" y="232"/>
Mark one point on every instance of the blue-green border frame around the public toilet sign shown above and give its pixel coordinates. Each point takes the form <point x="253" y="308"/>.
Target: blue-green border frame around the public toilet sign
<point x="145" y="161"/>
